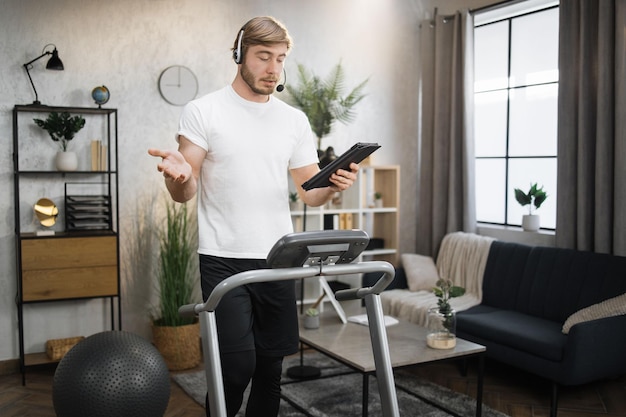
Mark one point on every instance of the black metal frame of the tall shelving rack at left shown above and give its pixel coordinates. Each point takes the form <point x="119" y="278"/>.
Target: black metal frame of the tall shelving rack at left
<point x="110" y="177"/>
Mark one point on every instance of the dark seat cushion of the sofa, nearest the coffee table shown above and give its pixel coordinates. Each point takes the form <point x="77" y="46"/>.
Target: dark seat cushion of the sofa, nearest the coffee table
<point x="530" y="334"/>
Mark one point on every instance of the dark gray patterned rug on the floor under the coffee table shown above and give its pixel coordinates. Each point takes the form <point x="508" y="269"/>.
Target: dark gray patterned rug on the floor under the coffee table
<point x="338" y="393"/>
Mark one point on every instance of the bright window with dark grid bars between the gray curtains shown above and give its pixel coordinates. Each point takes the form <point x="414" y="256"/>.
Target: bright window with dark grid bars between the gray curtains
<point x="515" y="99"/>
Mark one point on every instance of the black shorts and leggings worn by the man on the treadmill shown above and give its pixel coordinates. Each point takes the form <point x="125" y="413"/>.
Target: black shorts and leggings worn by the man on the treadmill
<point x="257" y="326"/>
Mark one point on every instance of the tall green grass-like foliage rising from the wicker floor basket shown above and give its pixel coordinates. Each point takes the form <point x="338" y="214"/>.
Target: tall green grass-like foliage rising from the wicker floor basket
<point x="176" y="280"/>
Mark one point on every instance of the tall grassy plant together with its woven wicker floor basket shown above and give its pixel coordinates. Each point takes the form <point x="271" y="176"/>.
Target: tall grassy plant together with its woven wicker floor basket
<point x="176" y="337"/>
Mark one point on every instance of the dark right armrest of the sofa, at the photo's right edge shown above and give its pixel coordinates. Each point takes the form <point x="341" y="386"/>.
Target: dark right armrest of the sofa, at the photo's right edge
<point x="595" y="350"/>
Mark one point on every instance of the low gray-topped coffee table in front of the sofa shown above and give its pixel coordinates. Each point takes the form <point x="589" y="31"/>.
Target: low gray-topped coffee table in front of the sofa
<point x="350" y="344"/>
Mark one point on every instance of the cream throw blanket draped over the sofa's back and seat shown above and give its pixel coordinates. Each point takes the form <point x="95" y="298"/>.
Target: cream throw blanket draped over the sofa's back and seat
<point x="462" y="258"/>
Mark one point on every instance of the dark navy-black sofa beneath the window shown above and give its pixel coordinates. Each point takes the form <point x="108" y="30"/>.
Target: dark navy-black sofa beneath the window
<point x="528" y="295"/>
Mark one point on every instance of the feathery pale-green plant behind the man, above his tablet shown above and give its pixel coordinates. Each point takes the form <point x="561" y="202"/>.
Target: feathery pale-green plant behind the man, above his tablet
<point x="322" y="100"/>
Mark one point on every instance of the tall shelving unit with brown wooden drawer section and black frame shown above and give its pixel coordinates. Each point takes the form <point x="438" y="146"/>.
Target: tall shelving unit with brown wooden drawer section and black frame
<point x="78" y="257"/>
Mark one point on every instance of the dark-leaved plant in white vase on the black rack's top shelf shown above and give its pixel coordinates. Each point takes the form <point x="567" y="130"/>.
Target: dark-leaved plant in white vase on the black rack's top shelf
<point x="62" y="128"/>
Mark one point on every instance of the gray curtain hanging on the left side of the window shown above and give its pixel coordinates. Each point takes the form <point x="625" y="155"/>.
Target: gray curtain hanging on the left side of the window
<point x="446" y="153"/>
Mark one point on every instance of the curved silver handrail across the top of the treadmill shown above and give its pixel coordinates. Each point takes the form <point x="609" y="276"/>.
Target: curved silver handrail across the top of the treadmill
<point x="283" y="274"/>
